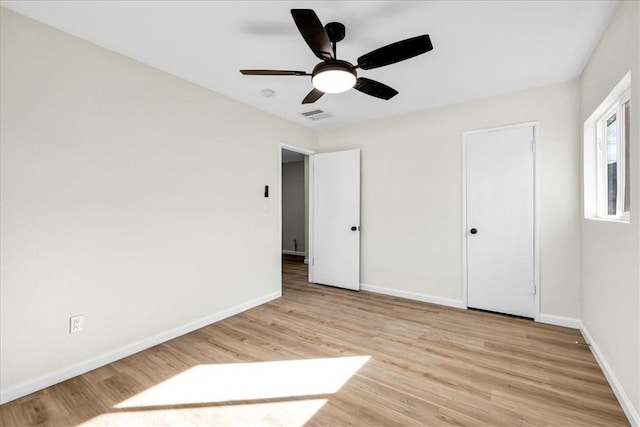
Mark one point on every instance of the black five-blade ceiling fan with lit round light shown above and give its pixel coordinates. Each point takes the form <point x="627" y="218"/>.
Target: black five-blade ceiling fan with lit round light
<point x="333" y="75"/>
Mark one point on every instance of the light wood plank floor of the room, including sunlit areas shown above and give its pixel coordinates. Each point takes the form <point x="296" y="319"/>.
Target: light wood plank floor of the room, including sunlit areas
<point x="401" y="362"/>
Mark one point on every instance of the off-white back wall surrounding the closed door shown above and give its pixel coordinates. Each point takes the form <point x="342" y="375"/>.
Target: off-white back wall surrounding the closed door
<point x="411" y="194"/>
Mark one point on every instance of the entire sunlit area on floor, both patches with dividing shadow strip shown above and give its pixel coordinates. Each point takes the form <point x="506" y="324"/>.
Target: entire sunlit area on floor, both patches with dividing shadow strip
<point x="287" y="392"/>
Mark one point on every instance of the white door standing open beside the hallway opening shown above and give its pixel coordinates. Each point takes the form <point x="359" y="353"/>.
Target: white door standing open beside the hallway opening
<point x="336" y="219"/>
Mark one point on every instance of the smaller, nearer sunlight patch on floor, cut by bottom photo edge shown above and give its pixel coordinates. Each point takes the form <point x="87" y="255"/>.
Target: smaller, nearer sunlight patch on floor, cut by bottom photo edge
<point x="289" y="413"/>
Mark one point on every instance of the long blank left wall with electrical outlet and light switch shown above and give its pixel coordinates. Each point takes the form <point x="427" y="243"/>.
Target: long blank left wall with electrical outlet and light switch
<point x="122" y="200"/>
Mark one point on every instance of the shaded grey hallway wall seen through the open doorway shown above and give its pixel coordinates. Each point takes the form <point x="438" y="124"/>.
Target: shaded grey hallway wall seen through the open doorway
<point x="293" y="206"/>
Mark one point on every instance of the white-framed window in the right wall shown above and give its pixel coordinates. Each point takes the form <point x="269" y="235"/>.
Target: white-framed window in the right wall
<point x="613" y="160"/>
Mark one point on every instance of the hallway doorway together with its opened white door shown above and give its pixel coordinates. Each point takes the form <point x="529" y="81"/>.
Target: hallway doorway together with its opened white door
<point x="326" y="187"/>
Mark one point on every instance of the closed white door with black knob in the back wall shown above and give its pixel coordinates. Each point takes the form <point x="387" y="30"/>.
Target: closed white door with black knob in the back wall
<point x="500" y="220"/>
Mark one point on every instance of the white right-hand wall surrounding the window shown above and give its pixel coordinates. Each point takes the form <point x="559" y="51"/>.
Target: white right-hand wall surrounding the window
<point x="611" y="251"/>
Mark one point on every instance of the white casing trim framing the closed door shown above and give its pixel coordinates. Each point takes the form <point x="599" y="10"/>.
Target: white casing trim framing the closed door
<point x="536" y="210"/>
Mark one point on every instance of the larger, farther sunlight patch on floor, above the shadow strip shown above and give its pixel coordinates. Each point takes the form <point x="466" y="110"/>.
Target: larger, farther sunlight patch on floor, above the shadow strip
<point x="249" y="381"/>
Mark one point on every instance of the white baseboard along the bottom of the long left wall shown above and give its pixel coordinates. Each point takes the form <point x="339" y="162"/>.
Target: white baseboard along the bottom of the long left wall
<point x="33" y="385"/>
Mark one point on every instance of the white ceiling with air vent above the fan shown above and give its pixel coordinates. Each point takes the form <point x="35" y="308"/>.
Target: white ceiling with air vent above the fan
<point x="481" y="48"/>
